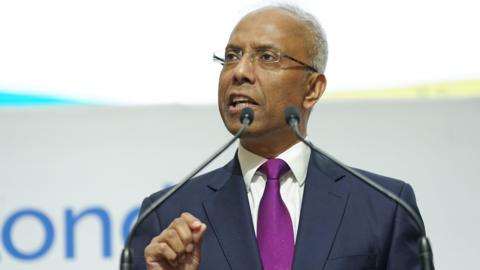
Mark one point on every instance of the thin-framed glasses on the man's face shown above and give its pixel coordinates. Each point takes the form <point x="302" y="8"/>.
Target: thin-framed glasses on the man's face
<point x="266" y="58"/>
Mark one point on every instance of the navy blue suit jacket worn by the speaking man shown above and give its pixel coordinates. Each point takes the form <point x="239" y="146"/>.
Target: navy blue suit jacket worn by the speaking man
<point x="344" y="224"/>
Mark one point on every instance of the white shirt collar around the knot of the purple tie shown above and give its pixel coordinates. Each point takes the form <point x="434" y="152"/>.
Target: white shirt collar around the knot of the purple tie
<point x="297" y="158"/>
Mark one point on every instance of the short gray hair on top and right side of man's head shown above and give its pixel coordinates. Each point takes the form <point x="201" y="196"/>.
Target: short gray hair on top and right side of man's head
<point x="319" y="50"/>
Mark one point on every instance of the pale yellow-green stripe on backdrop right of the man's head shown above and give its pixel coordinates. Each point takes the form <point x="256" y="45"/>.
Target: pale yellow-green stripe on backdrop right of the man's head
<point x="468" y="88"/>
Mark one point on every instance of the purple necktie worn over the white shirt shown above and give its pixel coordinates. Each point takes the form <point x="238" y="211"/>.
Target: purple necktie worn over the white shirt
<point x="274" y="226"/>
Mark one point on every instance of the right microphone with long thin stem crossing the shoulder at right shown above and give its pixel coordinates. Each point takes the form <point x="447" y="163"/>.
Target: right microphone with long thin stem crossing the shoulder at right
<point x="292" y="117"/>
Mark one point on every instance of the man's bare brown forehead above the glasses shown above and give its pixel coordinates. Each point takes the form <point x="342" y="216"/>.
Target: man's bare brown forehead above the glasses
<point x="270" y="27"/>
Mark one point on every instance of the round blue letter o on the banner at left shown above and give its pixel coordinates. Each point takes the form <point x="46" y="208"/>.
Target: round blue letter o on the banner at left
<point x="7" y="234"/>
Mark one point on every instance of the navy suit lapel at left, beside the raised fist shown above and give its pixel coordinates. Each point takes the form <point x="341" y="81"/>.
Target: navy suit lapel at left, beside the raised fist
<point x="229" y="213"/>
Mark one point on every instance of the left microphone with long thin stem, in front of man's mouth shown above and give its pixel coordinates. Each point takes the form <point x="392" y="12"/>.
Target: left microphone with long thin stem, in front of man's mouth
<point x="126" y="258"/>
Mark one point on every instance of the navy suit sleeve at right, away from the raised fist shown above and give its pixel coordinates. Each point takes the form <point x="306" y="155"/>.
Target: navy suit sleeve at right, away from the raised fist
<point x="404" y="251"/>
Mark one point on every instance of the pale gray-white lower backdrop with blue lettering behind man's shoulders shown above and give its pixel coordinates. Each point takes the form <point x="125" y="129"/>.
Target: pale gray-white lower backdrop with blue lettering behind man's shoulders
<point x="57" y="163"/>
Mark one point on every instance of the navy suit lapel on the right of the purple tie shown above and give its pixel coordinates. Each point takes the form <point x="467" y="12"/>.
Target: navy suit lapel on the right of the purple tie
<point x="323" y="205"/>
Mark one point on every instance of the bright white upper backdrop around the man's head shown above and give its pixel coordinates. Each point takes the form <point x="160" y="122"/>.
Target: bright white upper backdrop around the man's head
<point x="157" y="52"/>
